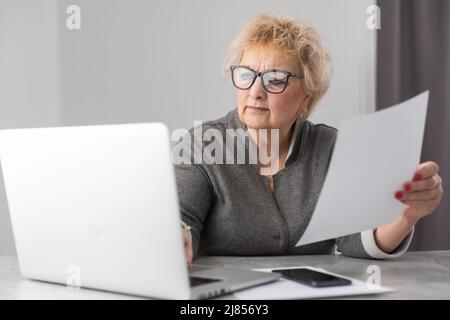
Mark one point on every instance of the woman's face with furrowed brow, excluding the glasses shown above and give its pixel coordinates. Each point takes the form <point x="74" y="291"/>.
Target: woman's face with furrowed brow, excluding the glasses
<point x="259" y="109"/>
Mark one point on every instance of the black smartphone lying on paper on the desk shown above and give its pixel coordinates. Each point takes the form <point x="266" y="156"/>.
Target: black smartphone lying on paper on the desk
<point x="313" y="278"/>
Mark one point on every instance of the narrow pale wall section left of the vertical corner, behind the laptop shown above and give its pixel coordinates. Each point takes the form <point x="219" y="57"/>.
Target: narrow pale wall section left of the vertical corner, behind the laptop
<point x="29" y="78"/>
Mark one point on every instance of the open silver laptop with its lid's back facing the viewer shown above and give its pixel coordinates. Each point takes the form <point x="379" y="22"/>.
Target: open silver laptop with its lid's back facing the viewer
<point x="96" y="207"/>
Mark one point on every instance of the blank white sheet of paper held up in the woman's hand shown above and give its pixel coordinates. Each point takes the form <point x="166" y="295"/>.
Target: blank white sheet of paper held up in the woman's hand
<point x="373" y="156"/>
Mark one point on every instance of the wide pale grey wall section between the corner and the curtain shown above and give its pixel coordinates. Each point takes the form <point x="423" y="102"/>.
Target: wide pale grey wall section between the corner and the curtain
<point x="151" y="60"/>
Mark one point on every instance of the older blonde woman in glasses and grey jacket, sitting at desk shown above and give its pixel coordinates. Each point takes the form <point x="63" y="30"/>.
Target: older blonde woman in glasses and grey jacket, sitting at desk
<point x="280" y="71"/>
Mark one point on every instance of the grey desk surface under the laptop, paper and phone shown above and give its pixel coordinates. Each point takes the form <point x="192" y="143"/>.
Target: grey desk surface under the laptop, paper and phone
<point x="416" y="275"/>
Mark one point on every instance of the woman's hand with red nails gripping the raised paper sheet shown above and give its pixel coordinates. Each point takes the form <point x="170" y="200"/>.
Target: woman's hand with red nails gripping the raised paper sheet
<point x="423" y="193"/>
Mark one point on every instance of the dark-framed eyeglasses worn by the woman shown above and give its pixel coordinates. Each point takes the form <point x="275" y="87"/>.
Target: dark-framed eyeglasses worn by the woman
<point x="273" y="81"/>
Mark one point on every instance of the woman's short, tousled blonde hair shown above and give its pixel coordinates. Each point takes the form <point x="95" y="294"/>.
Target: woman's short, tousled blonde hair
<point x="299" y="40"/>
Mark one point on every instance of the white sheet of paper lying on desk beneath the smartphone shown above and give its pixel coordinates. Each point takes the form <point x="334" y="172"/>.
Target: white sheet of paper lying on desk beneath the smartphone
<point x="287" y="289"/>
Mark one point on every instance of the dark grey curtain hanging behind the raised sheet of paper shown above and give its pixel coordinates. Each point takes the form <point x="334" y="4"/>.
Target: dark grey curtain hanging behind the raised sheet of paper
<point x="413" y="53"/>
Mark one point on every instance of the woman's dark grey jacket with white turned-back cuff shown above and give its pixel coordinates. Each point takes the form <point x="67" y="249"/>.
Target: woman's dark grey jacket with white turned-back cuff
<point x="232" y="210"/>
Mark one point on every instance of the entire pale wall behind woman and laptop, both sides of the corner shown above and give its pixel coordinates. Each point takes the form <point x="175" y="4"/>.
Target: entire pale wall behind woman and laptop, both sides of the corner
<point x="137" y="61"/>
